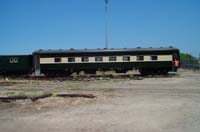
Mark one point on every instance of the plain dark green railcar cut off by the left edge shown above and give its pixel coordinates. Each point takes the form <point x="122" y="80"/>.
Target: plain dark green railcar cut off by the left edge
<point x="15" y="64"/>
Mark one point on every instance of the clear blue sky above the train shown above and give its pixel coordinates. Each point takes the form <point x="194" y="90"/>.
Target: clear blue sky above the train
<point x="29" y="25"/>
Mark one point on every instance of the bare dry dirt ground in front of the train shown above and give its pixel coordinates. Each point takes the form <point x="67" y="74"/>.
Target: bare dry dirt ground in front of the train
<point x="121" y="105"/>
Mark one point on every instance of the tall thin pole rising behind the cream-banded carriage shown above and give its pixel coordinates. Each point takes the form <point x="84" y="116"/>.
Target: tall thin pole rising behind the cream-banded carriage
<point x="106" y="22"/>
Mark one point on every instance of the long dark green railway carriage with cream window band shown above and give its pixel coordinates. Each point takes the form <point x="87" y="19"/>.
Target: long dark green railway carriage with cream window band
<point x="146" y="60"/>
